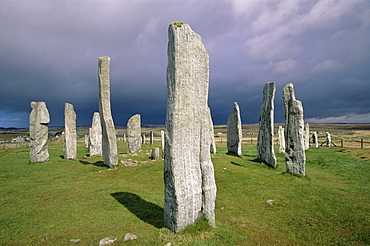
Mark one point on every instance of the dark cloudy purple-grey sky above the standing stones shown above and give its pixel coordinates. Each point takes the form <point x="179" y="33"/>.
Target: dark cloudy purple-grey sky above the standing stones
<point x="49" y="52"/>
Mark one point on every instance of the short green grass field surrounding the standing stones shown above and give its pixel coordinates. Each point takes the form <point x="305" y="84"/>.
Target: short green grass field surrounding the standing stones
<point x="67" y="199"/>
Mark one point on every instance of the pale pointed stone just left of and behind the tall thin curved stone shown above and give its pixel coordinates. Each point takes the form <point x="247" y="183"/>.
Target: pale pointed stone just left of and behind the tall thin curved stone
<point x="95" y="136"/>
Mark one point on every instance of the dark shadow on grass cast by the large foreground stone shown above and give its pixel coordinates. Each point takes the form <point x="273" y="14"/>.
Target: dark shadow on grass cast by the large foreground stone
<point x="146" y="211"/>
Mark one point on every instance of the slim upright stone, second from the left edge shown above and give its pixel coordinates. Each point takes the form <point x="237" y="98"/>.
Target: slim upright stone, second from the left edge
<point x="70" y="134"/>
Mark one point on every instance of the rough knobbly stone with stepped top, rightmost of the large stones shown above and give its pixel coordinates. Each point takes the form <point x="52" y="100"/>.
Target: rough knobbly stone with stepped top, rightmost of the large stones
<point x="295" y="156"/>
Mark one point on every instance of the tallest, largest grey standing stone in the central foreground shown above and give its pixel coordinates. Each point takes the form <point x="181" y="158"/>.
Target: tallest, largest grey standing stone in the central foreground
<point x="190" y="188"/>
